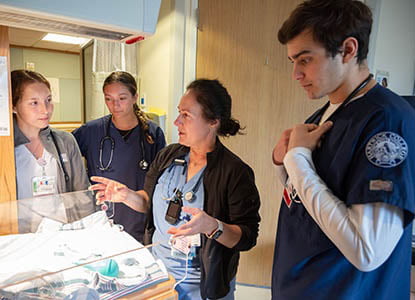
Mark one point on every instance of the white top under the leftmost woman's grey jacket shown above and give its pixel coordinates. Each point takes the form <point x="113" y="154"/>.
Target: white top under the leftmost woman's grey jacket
<point x="27" y="167"/>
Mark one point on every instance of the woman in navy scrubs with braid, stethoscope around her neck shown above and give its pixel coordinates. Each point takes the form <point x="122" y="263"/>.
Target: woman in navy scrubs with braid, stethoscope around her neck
<point x="121" y="146"/>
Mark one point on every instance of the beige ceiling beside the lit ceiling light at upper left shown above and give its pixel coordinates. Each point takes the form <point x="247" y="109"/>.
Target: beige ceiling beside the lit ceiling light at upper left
<point x="32" y="38"/>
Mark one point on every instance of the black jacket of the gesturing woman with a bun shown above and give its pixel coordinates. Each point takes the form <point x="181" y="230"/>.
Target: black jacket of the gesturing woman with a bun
<point x="230" y="196"/>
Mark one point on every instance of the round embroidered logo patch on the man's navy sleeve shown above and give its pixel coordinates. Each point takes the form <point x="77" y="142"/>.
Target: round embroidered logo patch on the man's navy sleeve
<point x="386" y="149"/>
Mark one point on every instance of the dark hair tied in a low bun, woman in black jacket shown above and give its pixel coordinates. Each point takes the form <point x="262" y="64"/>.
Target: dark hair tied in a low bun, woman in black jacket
<point x="216" y="104"/>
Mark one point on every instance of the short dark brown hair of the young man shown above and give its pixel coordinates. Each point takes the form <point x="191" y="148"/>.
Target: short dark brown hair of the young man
<point x="331" y="22"/>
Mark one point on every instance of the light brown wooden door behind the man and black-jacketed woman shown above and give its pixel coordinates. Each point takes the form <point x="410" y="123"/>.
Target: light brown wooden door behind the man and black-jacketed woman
<point x="237" y="44"/>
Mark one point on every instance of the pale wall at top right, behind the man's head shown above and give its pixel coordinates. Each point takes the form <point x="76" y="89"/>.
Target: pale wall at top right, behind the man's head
<point x="395" y="44"/>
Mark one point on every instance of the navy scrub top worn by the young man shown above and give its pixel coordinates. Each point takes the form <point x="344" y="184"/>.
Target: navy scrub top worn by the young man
<point x="307" y="265"/>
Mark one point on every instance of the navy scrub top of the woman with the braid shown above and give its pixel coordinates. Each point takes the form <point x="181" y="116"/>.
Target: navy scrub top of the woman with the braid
<point x="124" y="167"/>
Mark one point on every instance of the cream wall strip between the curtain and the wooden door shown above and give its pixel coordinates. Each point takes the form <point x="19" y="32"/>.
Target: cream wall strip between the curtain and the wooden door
<point x="167" y="60"/>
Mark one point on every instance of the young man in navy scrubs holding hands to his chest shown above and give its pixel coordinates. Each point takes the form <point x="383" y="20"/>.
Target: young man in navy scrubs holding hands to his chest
<point x="344" y="228"/>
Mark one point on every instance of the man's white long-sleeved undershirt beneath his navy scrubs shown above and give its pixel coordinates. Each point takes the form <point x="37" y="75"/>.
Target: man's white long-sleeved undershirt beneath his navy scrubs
<point x="366" y="234"/>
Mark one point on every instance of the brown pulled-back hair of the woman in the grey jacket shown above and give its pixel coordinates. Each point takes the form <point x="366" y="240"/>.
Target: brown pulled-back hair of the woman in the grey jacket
<point x="21" y="78"/>
